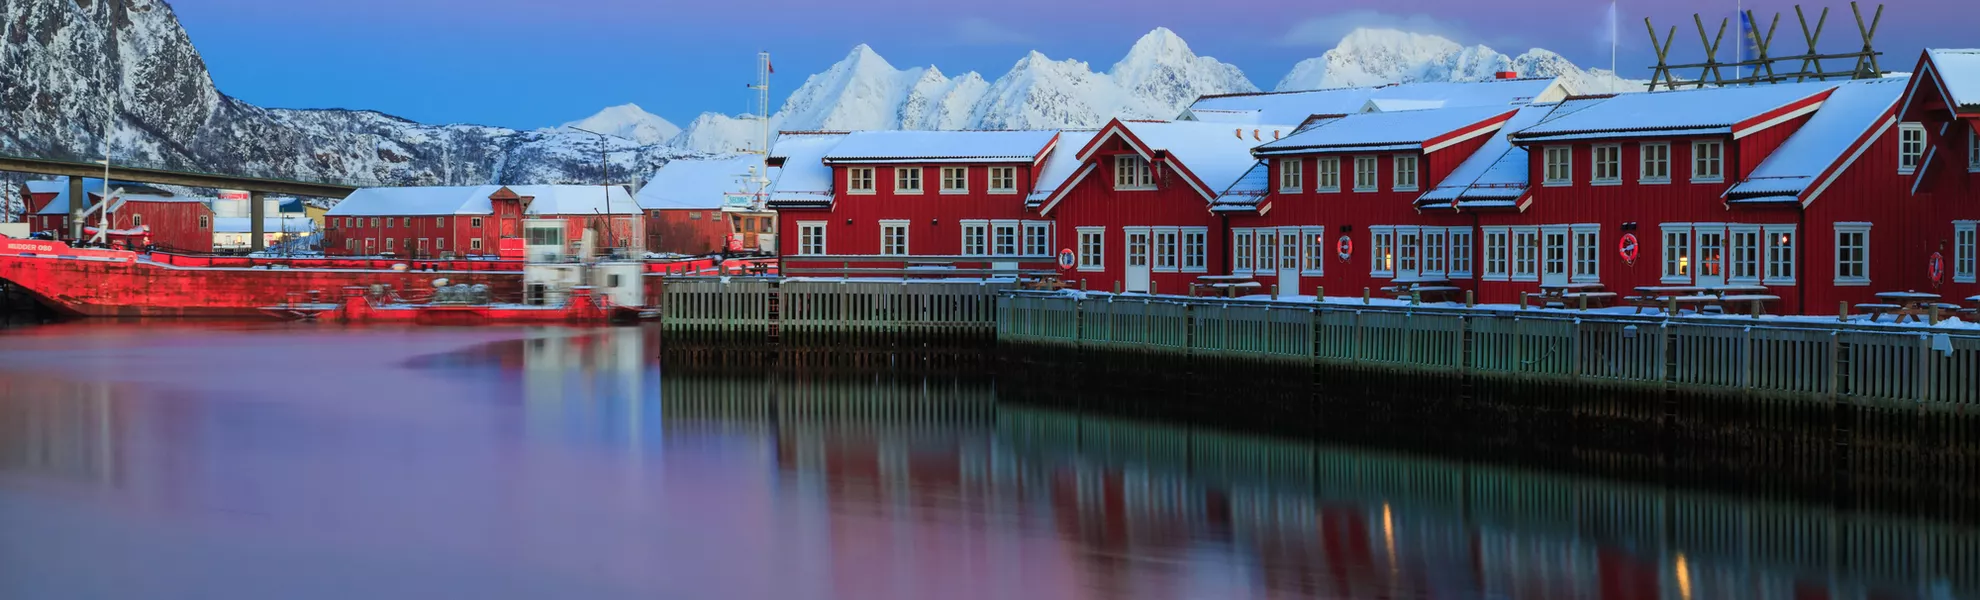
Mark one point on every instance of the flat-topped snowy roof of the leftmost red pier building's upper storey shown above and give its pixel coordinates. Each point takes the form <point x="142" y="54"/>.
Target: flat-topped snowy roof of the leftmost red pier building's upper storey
<point x="941" y="148"/>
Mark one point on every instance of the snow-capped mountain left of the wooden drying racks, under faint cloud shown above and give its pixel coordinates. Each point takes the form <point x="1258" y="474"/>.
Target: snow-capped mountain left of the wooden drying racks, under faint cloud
<point x="1391" y="56"/>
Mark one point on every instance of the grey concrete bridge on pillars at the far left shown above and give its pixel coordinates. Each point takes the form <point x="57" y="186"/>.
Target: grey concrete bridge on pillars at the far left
<point x="256" y="189"/>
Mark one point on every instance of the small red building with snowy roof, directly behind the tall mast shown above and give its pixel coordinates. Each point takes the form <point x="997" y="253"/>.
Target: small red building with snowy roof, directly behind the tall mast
<point x="708" y="205"/>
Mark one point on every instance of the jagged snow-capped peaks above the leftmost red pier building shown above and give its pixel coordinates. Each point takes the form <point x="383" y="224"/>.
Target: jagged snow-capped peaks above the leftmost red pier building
<point x="1157" y="80"/>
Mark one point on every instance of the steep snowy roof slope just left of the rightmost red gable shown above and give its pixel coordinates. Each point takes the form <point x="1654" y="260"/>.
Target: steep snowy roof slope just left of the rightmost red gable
<point x="1852" y="112"/>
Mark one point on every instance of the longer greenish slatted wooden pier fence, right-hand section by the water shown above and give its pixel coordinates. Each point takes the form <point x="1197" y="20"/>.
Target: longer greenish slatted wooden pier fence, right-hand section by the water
<point x="1763" y="357"/>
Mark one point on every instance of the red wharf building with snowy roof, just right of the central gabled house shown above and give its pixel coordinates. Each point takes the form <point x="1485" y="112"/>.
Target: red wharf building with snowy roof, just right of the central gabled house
<point x="1341" y="197"/>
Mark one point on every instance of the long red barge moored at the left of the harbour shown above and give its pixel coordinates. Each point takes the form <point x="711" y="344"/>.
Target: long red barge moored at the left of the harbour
<point x="90" y="282"/>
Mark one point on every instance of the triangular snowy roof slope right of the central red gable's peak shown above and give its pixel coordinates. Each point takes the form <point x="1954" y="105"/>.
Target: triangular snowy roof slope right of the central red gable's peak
<point x="1217" y="153"/>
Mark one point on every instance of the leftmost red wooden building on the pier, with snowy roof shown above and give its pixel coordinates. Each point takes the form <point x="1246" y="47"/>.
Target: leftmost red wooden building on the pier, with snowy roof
<point x="890" y="199"/>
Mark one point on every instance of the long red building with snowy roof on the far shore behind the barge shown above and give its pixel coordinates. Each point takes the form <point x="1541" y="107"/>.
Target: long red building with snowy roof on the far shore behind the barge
<point x="470" y="221"/>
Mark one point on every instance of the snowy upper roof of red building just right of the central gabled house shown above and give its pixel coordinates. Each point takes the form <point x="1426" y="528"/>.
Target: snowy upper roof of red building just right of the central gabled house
<point x="1383" y="132"/>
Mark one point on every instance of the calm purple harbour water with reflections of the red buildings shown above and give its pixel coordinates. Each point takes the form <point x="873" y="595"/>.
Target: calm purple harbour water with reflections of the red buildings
<point x="278" y="462"/>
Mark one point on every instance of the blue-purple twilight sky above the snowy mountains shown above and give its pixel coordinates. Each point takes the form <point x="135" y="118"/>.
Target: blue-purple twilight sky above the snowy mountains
<point x="544" y="62"/>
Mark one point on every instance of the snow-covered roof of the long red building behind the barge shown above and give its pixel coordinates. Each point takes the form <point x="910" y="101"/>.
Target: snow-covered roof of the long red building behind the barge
<point x="439" y="201"/>
